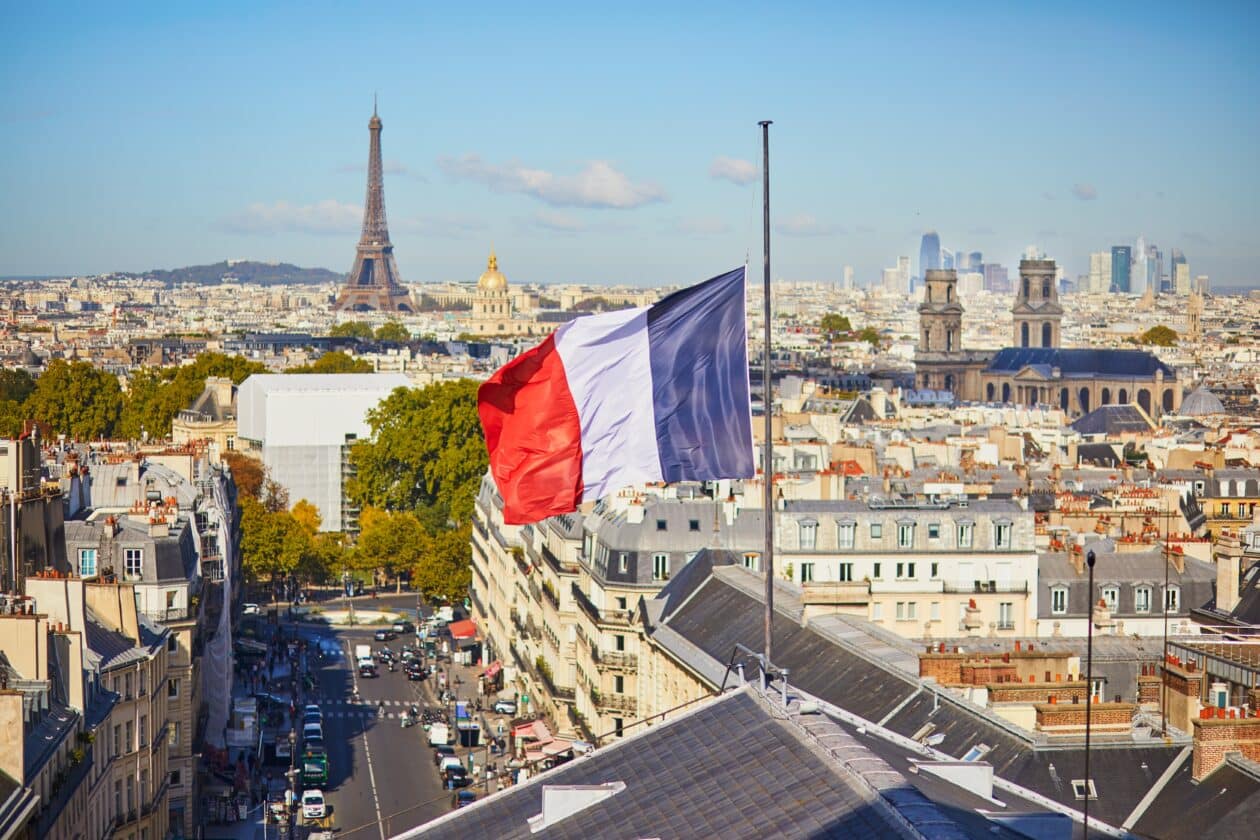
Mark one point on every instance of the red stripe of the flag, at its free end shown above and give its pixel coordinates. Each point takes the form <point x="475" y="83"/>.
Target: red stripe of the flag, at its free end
<point x="534" y="435"/>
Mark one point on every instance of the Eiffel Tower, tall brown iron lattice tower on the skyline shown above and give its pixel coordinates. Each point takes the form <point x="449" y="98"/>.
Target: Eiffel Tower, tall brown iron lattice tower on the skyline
<point x="375" y="284"/>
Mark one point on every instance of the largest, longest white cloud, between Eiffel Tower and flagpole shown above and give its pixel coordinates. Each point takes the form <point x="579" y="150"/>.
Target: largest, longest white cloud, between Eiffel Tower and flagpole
<point x="597" y="186"/>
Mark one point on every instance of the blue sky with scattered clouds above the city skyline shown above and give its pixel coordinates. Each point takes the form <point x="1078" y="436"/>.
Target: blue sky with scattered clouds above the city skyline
<point x="590" y="145"/>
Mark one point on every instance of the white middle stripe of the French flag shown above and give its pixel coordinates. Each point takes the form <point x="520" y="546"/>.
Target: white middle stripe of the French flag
<point x="608" y="366"/>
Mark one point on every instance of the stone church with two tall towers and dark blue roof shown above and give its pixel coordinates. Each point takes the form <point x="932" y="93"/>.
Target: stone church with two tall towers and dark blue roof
<point x="1036" y="371"/>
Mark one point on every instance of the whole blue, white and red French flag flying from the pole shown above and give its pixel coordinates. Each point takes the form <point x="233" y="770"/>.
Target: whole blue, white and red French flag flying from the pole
<point x="657" y="394"/>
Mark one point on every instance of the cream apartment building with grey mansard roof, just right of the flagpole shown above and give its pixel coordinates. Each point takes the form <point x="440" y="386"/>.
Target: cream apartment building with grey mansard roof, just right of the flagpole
<point x="919" y="567"/>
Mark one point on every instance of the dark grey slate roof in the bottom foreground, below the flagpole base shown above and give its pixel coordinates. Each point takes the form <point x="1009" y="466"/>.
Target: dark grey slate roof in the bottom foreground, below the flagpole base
<point x="729" y="770"/>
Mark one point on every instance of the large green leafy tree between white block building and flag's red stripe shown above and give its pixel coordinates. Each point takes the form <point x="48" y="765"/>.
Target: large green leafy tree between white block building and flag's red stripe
<point x="427" y="453"/>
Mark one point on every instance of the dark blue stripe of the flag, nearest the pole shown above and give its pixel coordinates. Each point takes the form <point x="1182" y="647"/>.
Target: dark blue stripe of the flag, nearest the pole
<point x="700" y="380"/>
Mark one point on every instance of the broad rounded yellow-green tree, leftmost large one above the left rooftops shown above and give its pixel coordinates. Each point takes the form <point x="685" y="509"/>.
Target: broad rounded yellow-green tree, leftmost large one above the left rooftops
<point x="77" y="400"/>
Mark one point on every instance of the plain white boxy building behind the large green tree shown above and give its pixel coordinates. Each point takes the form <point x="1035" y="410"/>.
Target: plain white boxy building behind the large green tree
<point x="303" y="426"/>
